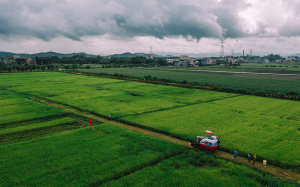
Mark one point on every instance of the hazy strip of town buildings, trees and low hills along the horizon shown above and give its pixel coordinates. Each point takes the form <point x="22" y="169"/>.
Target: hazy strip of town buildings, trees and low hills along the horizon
<point x="145" y="59"/>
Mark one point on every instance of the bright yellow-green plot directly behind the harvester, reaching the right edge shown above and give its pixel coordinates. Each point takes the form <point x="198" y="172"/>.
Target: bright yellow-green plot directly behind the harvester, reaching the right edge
<point x="249" y="127"/>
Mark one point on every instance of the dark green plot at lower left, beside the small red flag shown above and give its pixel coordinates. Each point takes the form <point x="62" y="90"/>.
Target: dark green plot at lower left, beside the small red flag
<point x="80" y="157"/>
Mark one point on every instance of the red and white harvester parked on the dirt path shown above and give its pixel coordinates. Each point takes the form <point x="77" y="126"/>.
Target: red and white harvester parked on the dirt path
<point x="211" y="142"/>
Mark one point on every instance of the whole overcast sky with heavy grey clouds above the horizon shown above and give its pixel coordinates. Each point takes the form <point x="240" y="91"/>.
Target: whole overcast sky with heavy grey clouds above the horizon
<point x="181" y="26"/>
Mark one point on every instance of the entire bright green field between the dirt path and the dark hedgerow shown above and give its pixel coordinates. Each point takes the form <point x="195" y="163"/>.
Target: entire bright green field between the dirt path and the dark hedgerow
<point x="241" y="121"/>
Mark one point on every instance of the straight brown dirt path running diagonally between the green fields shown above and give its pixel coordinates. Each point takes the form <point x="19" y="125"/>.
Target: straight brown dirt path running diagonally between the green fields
<point x="276" y="171"/>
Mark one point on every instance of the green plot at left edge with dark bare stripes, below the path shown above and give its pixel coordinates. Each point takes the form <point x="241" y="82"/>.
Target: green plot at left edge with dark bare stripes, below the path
<point x="22" y="118"/>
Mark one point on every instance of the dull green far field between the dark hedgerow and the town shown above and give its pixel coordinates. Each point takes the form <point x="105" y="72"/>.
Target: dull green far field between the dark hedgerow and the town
<point x="211" y="78"/>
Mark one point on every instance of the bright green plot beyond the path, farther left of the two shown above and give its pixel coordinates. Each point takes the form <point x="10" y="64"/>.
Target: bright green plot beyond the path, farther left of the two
<point x="109" y="96"/>
